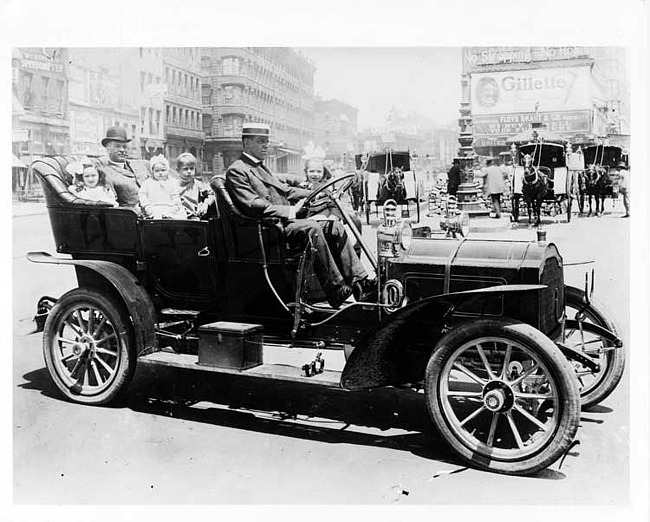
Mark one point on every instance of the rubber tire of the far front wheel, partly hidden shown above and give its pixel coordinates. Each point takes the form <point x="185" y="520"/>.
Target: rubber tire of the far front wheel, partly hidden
<point x="597" y="314"/>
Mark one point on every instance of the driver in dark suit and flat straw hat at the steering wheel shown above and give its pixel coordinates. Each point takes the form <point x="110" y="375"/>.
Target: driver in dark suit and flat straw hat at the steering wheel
<point x="258" y="193"/>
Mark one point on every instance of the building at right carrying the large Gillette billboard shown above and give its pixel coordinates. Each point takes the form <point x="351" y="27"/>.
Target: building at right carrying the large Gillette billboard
<point x="578" y="93"/>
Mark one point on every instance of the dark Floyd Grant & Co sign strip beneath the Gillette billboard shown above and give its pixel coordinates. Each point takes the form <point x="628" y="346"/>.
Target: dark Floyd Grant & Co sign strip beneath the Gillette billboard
<point x="496" y="125"/>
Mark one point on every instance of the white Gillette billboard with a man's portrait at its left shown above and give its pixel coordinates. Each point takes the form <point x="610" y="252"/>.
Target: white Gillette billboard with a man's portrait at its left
<point x="530" y="90"/>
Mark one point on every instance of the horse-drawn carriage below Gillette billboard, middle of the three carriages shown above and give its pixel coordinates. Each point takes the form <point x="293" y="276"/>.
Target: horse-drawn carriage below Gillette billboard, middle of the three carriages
<point x="540" y="177"/>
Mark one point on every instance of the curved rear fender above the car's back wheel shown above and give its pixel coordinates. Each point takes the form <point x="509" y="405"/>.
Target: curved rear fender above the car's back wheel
<point x="98" y="274"/>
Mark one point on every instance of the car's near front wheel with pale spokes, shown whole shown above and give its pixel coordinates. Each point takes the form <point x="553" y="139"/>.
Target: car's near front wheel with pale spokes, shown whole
<point x="503" y="396"/>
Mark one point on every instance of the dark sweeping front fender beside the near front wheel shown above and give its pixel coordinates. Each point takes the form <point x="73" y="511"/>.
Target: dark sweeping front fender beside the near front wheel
<point x="397" y="350"/>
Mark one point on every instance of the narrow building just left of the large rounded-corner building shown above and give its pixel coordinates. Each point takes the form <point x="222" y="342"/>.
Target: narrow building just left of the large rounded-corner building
<point x="182" y="102"/>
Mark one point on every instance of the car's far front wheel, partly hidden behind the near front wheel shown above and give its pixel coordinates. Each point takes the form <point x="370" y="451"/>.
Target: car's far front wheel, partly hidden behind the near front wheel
<point x="594" y="386"/>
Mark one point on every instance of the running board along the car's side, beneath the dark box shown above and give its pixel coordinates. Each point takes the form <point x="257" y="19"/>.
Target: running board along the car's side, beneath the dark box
<point x="283" y="372"/>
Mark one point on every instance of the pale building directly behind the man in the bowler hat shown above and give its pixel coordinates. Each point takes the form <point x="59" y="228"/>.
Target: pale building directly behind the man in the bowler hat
<point x="102" y="93"/>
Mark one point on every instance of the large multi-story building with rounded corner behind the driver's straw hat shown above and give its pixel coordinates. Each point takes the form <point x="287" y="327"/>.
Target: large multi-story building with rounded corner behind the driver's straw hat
<point x="257" y="84"/>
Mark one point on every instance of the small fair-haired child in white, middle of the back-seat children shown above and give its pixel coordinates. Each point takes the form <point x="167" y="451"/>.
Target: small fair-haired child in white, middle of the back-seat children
<point x="159" y="197"/>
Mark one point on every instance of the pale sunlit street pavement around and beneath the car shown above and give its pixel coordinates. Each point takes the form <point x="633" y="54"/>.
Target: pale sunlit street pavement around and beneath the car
<point x="185" y="437"/>
